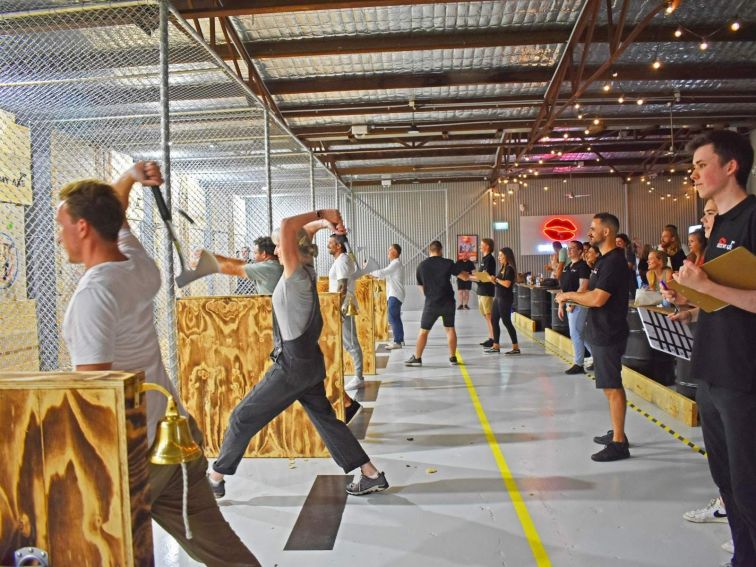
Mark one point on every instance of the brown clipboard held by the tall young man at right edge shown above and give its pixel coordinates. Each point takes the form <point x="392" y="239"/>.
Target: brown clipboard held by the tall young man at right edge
<point x="736" y="268"/>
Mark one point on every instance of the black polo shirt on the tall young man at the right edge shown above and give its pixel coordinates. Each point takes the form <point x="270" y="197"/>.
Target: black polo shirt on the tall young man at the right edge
<point x="725" y="339"/>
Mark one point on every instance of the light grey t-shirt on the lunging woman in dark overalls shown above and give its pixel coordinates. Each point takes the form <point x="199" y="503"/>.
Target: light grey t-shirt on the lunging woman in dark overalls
<point x="292" y="302"/>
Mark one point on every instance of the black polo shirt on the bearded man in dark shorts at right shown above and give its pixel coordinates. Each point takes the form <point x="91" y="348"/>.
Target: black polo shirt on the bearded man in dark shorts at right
<point x="607" y="325"/>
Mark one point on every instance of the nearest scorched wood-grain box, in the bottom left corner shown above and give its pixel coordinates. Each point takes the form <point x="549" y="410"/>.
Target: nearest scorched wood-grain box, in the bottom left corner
<point x="68" y="490"/>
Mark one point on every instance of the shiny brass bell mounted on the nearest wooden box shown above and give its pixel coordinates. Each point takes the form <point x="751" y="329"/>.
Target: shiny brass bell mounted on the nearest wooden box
<point x="173" y="443"/>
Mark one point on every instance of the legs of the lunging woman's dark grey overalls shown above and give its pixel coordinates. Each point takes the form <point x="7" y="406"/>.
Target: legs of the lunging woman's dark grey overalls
<point x="277" y="391"/>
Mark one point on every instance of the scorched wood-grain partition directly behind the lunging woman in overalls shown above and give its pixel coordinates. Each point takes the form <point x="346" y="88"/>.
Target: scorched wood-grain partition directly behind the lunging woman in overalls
<point x="223" y="345"/>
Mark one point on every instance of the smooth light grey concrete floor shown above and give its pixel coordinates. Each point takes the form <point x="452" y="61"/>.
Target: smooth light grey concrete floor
<point x="448" y="504"/>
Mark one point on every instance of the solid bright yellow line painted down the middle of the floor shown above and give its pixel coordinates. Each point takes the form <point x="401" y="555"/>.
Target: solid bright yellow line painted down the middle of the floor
<point x="531" y="534"/>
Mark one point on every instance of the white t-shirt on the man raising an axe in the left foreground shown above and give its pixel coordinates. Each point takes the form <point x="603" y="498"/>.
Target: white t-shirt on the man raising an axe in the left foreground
<point x="110" y="319"/>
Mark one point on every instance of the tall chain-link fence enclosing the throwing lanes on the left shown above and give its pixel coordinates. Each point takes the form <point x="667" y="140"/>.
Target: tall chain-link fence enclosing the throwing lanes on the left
<point x="80" y="97"/>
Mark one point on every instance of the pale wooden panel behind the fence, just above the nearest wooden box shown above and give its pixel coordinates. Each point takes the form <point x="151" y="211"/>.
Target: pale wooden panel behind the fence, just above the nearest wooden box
<point x="19" y="347"/>
